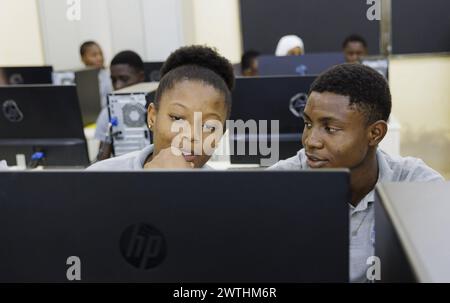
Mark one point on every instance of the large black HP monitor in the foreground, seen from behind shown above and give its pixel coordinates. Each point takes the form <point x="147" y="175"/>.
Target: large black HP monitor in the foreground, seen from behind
<point x="191" y="226"/>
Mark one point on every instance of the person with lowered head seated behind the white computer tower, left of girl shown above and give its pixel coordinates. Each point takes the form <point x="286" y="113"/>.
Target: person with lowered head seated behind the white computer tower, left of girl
<point x="127" y="68"/>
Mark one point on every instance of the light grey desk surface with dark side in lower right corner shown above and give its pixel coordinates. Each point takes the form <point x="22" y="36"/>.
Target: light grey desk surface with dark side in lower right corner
<point x="412" y="225"/>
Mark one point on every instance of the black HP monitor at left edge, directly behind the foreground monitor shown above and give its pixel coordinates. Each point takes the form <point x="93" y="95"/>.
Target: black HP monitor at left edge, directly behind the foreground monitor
<point x="42" y="118"/>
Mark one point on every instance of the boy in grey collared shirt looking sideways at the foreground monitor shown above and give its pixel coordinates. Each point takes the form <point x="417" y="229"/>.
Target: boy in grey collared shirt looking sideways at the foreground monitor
<point x="345" y="120"/>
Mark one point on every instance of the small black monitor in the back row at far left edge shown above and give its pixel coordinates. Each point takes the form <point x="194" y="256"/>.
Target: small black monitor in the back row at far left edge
<point x="26" y="75"/>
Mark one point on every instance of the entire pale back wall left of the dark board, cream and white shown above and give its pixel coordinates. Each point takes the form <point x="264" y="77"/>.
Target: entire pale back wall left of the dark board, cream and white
<point x="153" y="28"/>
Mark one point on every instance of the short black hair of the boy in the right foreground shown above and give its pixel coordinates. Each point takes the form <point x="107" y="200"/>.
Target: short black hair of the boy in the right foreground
<point x="366" y="88"/>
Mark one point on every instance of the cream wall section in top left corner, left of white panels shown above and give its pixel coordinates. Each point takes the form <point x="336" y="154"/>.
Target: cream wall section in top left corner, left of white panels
<point x="20" y="32"/>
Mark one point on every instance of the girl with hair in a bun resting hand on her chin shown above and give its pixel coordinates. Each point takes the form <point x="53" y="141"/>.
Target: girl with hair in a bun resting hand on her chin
<point x="195" y="80"/>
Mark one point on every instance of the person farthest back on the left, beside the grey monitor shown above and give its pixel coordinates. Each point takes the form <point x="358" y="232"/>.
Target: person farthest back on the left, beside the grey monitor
<point x="92" y="57"/>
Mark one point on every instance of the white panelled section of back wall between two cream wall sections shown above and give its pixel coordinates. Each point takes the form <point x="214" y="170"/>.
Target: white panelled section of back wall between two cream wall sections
<point x="152" y="28"/>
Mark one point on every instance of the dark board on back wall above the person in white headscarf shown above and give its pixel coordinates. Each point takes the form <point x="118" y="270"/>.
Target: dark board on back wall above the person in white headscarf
<point x="322" y="24"/>
